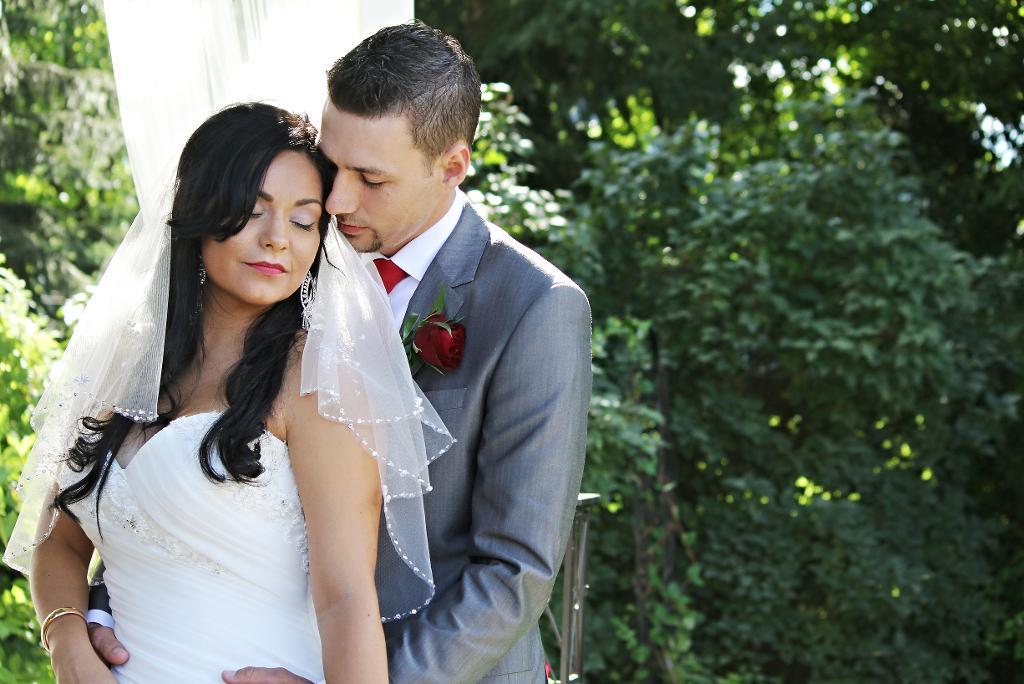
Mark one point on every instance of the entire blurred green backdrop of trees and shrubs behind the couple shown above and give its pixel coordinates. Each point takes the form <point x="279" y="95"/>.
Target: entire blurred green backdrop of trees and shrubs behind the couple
<point x="800" y="225"/>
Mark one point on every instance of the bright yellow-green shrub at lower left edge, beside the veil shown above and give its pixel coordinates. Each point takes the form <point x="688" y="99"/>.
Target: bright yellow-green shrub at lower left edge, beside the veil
<point x="27" y="350"/>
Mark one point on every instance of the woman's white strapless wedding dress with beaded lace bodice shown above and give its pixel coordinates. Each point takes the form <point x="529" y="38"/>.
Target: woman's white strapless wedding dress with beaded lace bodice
<point x="204" y="577"/>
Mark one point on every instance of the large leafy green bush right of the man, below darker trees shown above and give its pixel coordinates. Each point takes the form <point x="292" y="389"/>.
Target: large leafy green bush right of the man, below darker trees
<point x="805" y="406"/>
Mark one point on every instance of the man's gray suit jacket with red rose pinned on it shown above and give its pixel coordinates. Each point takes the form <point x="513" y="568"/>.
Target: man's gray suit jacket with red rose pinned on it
<point x="503" y="500"/>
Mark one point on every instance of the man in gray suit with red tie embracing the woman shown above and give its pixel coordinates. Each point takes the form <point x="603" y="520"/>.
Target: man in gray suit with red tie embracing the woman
<point x="400" y="125"/>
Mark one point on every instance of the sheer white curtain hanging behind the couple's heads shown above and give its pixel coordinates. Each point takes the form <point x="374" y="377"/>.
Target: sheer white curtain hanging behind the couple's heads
<point x="178" y="62"/>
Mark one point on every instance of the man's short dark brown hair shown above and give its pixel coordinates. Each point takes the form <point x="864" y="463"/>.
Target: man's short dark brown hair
<point x="413" y="70"/>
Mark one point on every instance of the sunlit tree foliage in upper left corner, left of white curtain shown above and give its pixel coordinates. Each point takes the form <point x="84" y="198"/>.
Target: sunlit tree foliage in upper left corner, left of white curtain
<point x="66" y="191"/>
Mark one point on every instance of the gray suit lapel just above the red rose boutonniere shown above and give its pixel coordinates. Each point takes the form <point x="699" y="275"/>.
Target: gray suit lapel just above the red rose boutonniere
<point x="454" y="267"/>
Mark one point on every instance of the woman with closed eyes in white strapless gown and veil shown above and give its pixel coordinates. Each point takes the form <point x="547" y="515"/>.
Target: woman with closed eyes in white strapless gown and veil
<point x="231" y="418"/>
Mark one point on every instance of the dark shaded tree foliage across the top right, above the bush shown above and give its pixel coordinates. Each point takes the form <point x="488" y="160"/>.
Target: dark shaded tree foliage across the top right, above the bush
<point x="610" y="70"/>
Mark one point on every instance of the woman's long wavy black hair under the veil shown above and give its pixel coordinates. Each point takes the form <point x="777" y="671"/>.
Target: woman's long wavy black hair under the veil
<point x="220" y="178"/>
